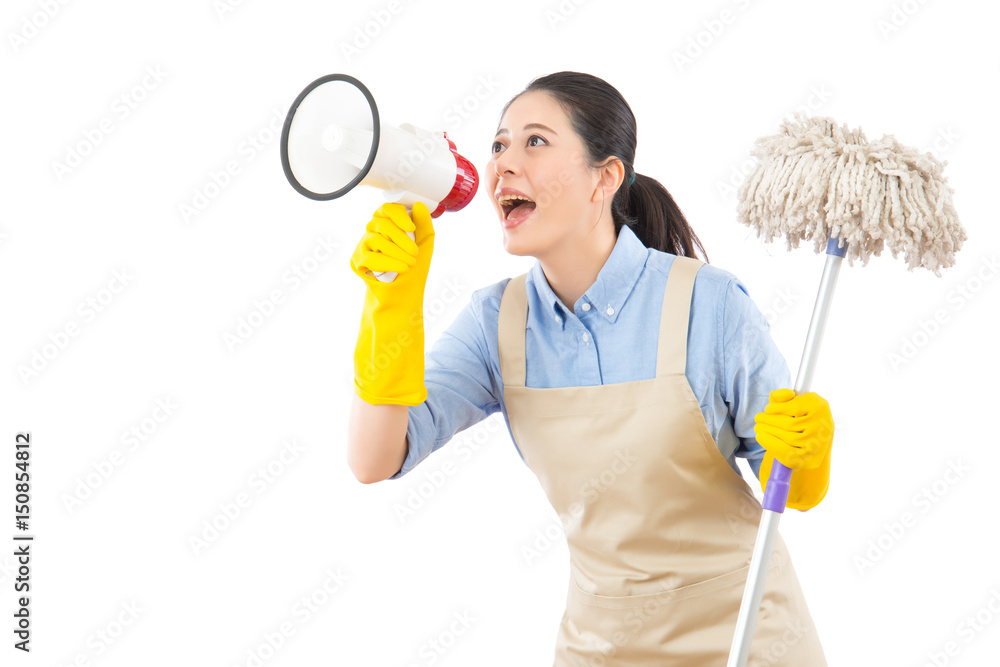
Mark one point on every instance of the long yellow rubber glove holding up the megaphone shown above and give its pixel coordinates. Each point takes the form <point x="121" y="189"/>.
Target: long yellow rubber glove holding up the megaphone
<point x="389" y="355"/>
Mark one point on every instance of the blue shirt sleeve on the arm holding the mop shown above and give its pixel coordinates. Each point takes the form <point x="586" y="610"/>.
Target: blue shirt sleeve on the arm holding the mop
<point x="753" y="366"/>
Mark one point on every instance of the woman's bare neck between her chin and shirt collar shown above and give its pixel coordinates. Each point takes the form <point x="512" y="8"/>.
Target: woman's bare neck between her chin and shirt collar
<point x="572" y="267"/>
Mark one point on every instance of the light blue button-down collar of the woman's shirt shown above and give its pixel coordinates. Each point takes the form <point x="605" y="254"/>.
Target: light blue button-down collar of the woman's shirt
<point x="614" y="281"/>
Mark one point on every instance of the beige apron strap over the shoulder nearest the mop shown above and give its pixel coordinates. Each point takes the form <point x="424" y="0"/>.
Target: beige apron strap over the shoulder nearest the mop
<point x="671" y="351"/>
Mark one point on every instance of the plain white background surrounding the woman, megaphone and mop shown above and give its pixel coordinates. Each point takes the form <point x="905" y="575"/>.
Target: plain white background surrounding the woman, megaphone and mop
<point x="227" y="74"/>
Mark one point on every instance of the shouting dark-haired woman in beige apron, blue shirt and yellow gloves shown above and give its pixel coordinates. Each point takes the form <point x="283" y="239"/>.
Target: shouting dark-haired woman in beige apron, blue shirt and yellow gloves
<point x="628" y="372"/>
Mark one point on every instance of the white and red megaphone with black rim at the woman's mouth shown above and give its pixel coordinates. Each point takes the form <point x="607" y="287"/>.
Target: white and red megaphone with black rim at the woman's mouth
<point x="333" y="141"/>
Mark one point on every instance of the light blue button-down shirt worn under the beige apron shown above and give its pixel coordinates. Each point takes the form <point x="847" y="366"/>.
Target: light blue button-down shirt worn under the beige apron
<point x="609" y="335"/>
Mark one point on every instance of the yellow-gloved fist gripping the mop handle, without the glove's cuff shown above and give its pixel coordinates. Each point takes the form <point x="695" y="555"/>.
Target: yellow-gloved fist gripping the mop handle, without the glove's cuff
<point x="797" y="430"/>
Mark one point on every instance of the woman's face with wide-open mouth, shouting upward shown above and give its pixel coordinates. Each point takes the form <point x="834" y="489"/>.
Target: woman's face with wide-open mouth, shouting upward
<point x="537" y="153"/>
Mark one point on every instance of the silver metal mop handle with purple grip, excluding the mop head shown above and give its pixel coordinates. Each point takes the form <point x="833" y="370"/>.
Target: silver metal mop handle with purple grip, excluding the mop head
<point x="776" y="495"/>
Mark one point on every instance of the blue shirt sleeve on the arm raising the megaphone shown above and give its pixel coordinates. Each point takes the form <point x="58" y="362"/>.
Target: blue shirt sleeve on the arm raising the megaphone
<point x="461" y="390"/>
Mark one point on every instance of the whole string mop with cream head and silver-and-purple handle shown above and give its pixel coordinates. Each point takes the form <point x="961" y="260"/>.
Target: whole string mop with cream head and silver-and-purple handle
<point x="817" y="181"/>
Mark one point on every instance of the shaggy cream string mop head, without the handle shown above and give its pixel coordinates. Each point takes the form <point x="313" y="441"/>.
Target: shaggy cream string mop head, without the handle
<point x="815" y="181"/>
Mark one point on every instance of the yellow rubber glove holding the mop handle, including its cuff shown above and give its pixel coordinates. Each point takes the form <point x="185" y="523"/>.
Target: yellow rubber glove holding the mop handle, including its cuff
<point x="798" y="431"/>
